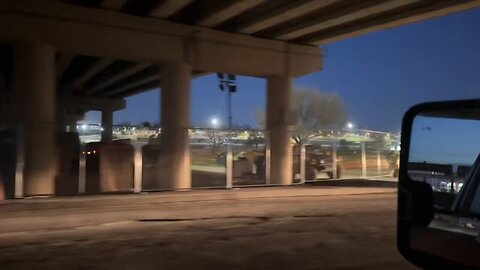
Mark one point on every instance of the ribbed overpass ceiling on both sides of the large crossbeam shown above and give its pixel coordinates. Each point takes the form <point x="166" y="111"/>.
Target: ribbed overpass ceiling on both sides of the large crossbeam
<point x="306" y="22"/>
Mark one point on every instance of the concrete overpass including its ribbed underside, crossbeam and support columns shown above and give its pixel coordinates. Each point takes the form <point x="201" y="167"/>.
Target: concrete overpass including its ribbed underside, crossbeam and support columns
<point x="59" y="59"/>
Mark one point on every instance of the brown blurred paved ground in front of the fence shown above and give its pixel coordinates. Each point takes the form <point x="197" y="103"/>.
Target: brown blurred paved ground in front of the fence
<point x="309" y="227"/>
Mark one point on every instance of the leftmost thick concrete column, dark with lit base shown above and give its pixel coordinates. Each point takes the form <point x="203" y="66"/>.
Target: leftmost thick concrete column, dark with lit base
<point x="34" y="90"/>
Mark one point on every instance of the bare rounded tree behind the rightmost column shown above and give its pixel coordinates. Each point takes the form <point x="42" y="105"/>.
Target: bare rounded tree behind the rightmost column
<point x="313" y="111"/>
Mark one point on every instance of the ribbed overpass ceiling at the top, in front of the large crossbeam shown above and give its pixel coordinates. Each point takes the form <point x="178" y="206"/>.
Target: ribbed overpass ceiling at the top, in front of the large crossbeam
<point x="307" y="22"/>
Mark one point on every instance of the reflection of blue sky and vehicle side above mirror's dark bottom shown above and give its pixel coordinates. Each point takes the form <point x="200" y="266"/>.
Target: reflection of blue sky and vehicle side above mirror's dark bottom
<point x="445" y="153"/>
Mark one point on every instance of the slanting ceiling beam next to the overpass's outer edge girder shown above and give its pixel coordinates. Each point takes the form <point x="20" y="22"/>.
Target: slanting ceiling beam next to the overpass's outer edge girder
<point x="334" y="19"/>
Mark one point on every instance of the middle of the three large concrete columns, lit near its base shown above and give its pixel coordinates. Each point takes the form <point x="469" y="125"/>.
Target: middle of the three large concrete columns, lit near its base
<point x="175" y="115"/>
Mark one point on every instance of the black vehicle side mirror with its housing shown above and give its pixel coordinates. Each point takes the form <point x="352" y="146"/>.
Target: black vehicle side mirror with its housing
<point x="439" y="185"/>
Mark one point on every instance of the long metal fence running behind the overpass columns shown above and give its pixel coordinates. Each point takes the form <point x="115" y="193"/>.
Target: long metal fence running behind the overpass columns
<point x="218" y="159"/>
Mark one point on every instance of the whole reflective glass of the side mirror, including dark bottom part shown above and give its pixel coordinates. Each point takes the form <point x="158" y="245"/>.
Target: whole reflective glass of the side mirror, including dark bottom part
<point x="445" y="154"/>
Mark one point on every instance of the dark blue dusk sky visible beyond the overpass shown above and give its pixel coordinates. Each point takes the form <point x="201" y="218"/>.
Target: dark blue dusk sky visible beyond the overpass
<point x="379" y="76"/>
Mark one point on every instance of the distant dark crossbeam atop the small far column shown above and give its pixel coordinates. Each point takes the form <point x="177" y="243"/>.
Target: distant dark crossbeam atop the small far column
<point x="78" y="103"/>
